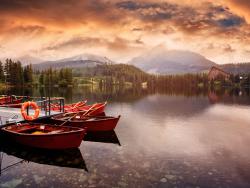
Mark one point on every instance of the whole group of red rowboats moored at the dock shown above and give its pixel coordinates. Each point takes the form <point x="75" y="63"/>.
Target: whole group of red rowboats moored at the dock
<point x="63" y="130"/>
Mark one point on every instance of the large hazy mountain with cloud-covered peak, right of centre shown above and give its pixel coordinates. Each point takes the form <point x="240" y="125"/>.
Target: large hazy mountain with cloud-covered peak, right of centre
<point x="159" y="60"/>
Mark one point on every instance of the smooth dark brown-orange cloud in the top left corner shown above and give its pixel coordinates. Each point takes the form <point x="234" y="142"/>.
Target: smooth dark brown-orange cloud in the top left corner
<point x="60" y="12"/>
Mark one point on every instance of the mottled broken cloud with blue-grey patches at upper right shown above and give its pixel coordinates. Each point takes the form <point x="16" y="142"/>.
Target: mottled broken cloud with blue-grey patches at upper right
<point x="188" y="19"/>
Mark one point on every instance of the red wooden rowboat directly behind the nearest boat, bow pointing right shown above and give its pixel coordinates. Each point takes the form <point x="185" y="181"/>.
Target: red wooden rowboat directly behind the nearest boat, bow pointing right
<point x="91" y="123"/>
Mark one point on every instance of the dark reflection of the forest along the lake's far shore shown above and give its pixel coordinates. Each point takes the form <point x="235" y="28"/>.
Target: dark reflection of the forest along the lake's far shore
<point x="131" y="95"/>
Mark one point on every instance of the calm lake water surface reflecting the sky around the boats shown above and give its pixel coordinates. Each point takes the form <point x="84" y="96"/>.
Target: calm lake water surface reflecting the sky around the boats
<point x="163" y="139"/>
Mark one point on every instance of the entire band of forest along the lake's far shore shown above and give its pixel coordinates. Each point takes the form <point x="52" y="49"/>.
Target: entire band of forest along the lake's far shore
<point x="107" y="75"/>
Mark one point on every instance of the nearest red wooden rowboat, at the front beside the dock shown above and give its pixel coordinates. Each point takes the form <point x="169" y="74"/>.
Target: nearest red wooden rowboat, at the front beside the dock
<point x="44" y="136"/>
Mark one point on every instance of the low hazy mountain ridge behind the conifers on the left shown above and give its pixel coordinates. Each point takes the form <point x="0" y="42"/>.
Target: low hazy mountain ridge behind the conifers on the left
<point x="78" y="61"/>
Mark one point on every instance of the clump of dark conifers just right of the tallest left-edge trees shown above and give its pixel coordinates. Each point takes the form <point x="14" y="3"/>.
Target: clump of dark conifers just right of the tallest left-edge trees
<point x="50" y="77"/>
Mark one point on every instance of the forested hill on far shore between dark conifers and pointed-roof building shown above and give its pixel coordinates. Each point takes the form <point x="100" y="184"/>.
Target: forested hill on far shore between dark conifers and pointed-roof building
<point x="121" y="74"/>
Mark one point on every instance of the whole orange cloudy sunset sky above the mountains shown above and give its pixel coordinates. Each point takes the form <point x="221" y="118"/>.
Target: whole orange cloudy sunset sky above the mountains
<point x="121" y="30"/>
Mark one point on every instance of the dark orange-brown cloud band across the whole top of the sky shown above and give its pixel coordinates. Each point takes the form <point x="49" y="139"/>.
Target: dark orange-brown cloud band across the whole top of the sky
<point x="106" y="14"/>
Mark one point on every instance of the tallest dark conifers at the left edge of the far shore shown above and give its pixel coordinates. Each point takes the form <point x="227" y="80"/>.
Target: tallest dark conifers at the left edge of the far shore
<point x="12" y="73"/>
